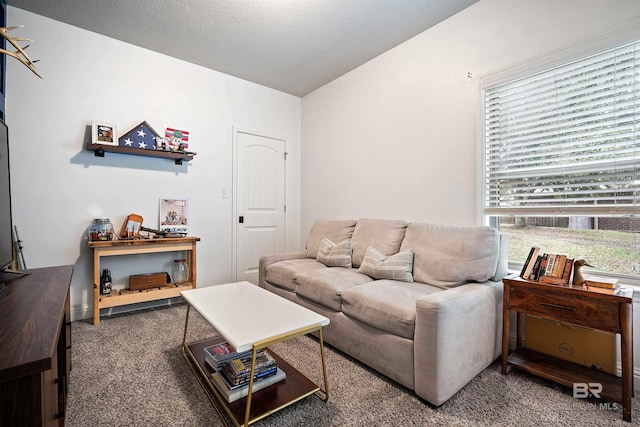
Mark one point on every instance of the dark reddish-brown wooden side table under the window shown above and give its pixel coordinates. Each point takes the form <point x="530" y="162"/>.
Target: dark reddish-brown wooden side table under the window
<point x="591" y="309"/>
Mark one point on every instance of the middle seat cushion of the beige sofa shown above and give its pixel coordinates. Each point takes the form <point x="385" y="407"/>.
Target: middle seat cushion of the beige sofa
<point x="325" y="286"/>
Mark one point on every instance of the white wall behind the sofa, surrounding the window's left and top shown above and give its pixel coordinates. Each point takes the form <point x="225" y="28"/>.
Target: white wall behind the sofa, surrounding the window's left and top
<point x="398" y="136"/>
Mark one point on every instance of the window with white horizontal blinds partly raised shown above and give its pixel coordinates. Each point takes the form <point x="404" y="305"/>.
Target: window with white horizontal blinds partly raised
<point x="561" y="160"/>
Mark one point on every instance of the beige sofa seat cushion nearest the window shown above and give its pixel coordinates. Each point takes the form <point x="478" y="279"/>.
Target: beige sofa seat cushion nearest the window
<point x="388" y="305"/>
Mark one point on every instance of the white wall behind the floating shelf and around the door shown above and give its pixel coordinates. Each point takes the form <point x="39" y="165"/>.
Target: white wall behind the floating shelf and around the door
<point x="59" y="187"/>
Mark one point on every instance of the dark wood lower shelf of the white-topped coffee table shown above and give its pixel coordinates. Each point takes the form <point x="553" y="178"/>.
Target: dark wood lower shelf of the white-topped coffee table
<point x="295" y="387"/>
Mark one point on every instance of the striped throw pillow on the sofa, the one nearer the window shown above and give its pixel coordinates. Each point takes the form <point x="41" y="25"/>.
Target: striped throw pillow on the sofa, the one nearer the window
<point x="395" y="267"/>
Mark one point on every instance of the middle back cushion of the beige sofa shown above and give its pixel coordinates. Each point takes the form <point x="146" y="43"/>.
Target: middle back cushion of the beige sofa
<point x="383" y="234"/>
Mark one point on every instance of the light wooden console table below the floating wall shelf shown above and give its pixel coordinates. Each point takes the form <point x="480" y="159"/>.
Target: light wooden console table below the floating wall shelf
<point x="140" y="246"/>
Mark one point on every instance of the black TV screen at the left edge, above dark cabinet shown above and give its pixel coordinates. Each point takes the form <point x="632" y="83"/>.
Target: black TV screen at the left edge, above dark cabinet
<point x="6" y="230"/>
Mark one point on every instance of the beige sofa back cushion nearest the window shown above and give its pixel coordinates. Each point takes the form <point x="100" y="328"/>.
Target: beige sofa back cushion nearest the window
<point x="452" y="255"/>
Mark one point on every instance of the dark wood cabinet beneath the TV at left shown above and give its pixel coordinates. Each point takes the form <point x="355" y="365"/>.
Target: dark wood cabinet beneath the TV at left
<point x="35" y="348"/>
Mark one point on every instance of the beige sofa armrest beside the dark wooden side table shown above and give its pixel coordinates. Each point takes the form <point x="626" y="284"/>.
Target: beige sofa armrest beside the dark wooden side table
<point x="457" y="335"/>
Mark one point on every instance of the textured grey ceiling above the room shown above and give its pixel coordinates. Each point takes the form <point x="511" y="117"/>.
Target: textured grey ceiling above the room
<point x="294" y="46"/>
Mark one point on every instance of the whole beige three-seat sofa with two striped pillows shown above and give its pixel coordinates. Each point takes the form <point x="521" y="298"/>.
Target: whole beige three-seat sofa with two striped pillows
<point x="420" y="303"/>
